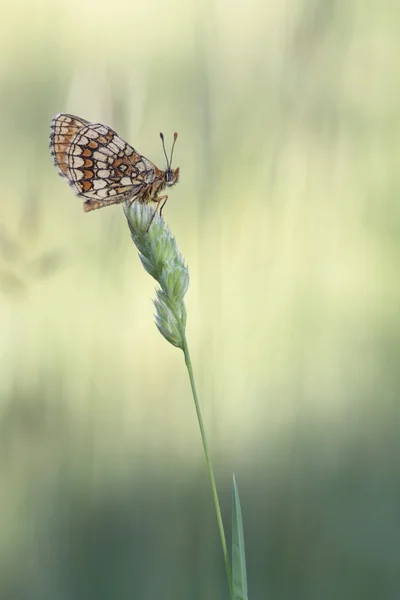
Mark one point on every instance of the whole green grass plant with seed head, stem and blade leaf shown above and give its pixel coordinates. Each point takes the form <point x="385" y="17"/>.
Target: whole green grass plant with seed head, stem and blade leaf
<point x="160" y="257"/>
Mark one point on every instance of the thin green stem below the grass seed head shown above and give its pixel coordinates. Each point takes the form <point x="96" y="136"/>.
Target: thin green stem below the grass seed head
<point x="208" y="461"/>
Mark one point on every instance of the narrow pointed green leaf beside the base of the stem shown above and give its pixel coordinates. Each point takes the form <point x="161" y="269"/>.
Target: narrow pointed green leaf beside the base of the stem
<point x="239" y="576"/>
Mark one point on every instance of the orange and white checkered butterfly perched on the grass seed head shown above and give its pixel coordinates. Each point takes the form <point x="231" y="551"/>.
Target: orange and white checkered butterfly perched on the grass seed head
<point x="102" y="168"/>
